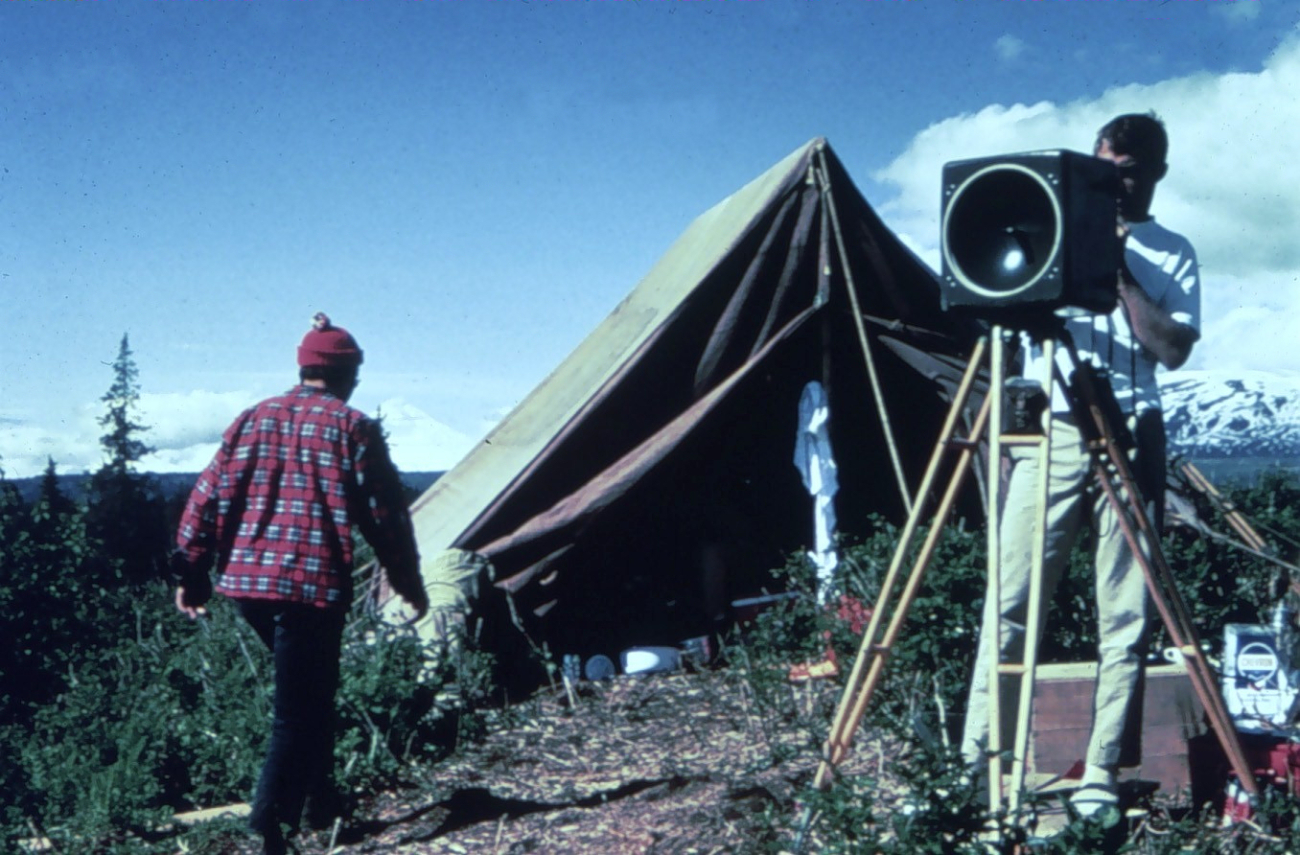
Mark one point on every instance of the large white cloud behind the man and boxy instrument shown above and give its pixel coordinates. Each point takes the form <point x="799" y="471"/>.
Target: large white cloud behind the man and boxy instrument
<point x="1233" y="188"/>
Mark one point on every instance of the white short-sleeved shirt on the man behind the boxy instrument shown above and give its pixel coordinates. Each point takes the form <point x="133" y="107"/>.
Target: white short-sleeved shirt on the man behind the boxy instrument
<point x="1164" y="264"/>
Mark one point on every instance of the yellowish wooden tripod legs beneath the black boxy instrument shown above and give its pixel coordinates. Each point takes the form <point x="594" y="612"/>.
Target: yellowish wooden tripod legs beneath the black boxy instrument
<point x="1111" y="467"/>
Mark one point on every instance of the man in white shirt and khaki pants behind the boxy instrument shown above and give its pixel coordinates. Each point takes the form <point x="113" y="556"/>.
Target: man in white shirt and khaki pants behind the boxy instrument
<point x="1156" y="320"/>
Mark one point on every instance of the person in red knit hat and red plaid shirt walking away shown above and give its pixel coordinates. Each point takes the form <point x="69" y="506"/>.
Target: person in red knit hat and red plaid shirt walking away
<point x="275" y="513"/>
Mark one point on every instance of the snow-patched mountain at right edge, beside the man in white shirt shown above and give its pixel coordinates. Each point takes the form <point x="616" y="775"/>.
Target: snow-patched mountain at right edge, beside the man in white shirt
<point x="1233" y="415"/>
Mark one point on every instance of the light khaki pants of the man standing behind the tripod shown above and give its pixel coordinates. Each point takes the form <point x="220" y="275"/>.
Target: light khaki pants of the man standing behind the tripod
<point x="1121" y="592"/>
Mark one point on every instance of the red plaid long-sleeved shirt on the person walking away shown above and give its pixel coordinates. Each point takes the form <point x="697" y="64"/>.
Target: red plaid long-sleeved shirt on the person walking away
<point x="276" y="507"/>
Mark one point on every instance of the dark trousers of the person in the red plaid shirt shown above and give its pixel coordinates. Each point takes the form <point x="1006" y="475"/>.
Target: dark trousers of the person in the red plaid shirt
<point x="305" y="643"/>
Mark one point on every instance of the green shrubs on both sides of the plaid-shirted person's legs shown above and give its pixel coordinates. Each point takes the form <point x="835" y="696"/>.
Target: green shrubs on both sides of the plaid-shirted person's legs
<point x="176" y="718"/>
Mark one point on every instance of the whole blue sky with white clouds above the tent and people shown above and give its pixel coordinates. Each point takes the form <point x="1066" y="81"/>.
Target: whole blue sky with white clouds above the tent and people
<point x="470" y="186"/>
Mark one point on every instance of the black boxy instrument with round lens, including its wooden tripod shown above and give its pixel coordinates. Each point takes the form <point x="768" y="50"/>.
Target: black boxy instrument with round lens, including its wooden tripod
<point x="1028" y="241"/>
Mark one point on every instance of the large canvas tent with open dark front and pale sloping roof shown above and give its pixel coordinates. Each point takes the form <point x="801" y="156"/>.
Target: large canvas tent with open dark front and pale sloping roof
<point x="653" y="471"/>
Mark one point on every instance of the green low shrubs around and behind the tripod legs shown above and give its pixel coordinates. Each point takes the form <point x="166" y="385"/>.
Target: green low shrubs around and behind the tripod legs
<point x="933" y="806"/>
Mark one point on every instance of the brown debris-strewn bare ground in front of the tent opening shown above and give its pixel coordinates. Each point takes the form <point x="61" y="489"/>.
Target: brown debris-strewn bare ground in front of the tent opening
<point x="665" y="765"/>
